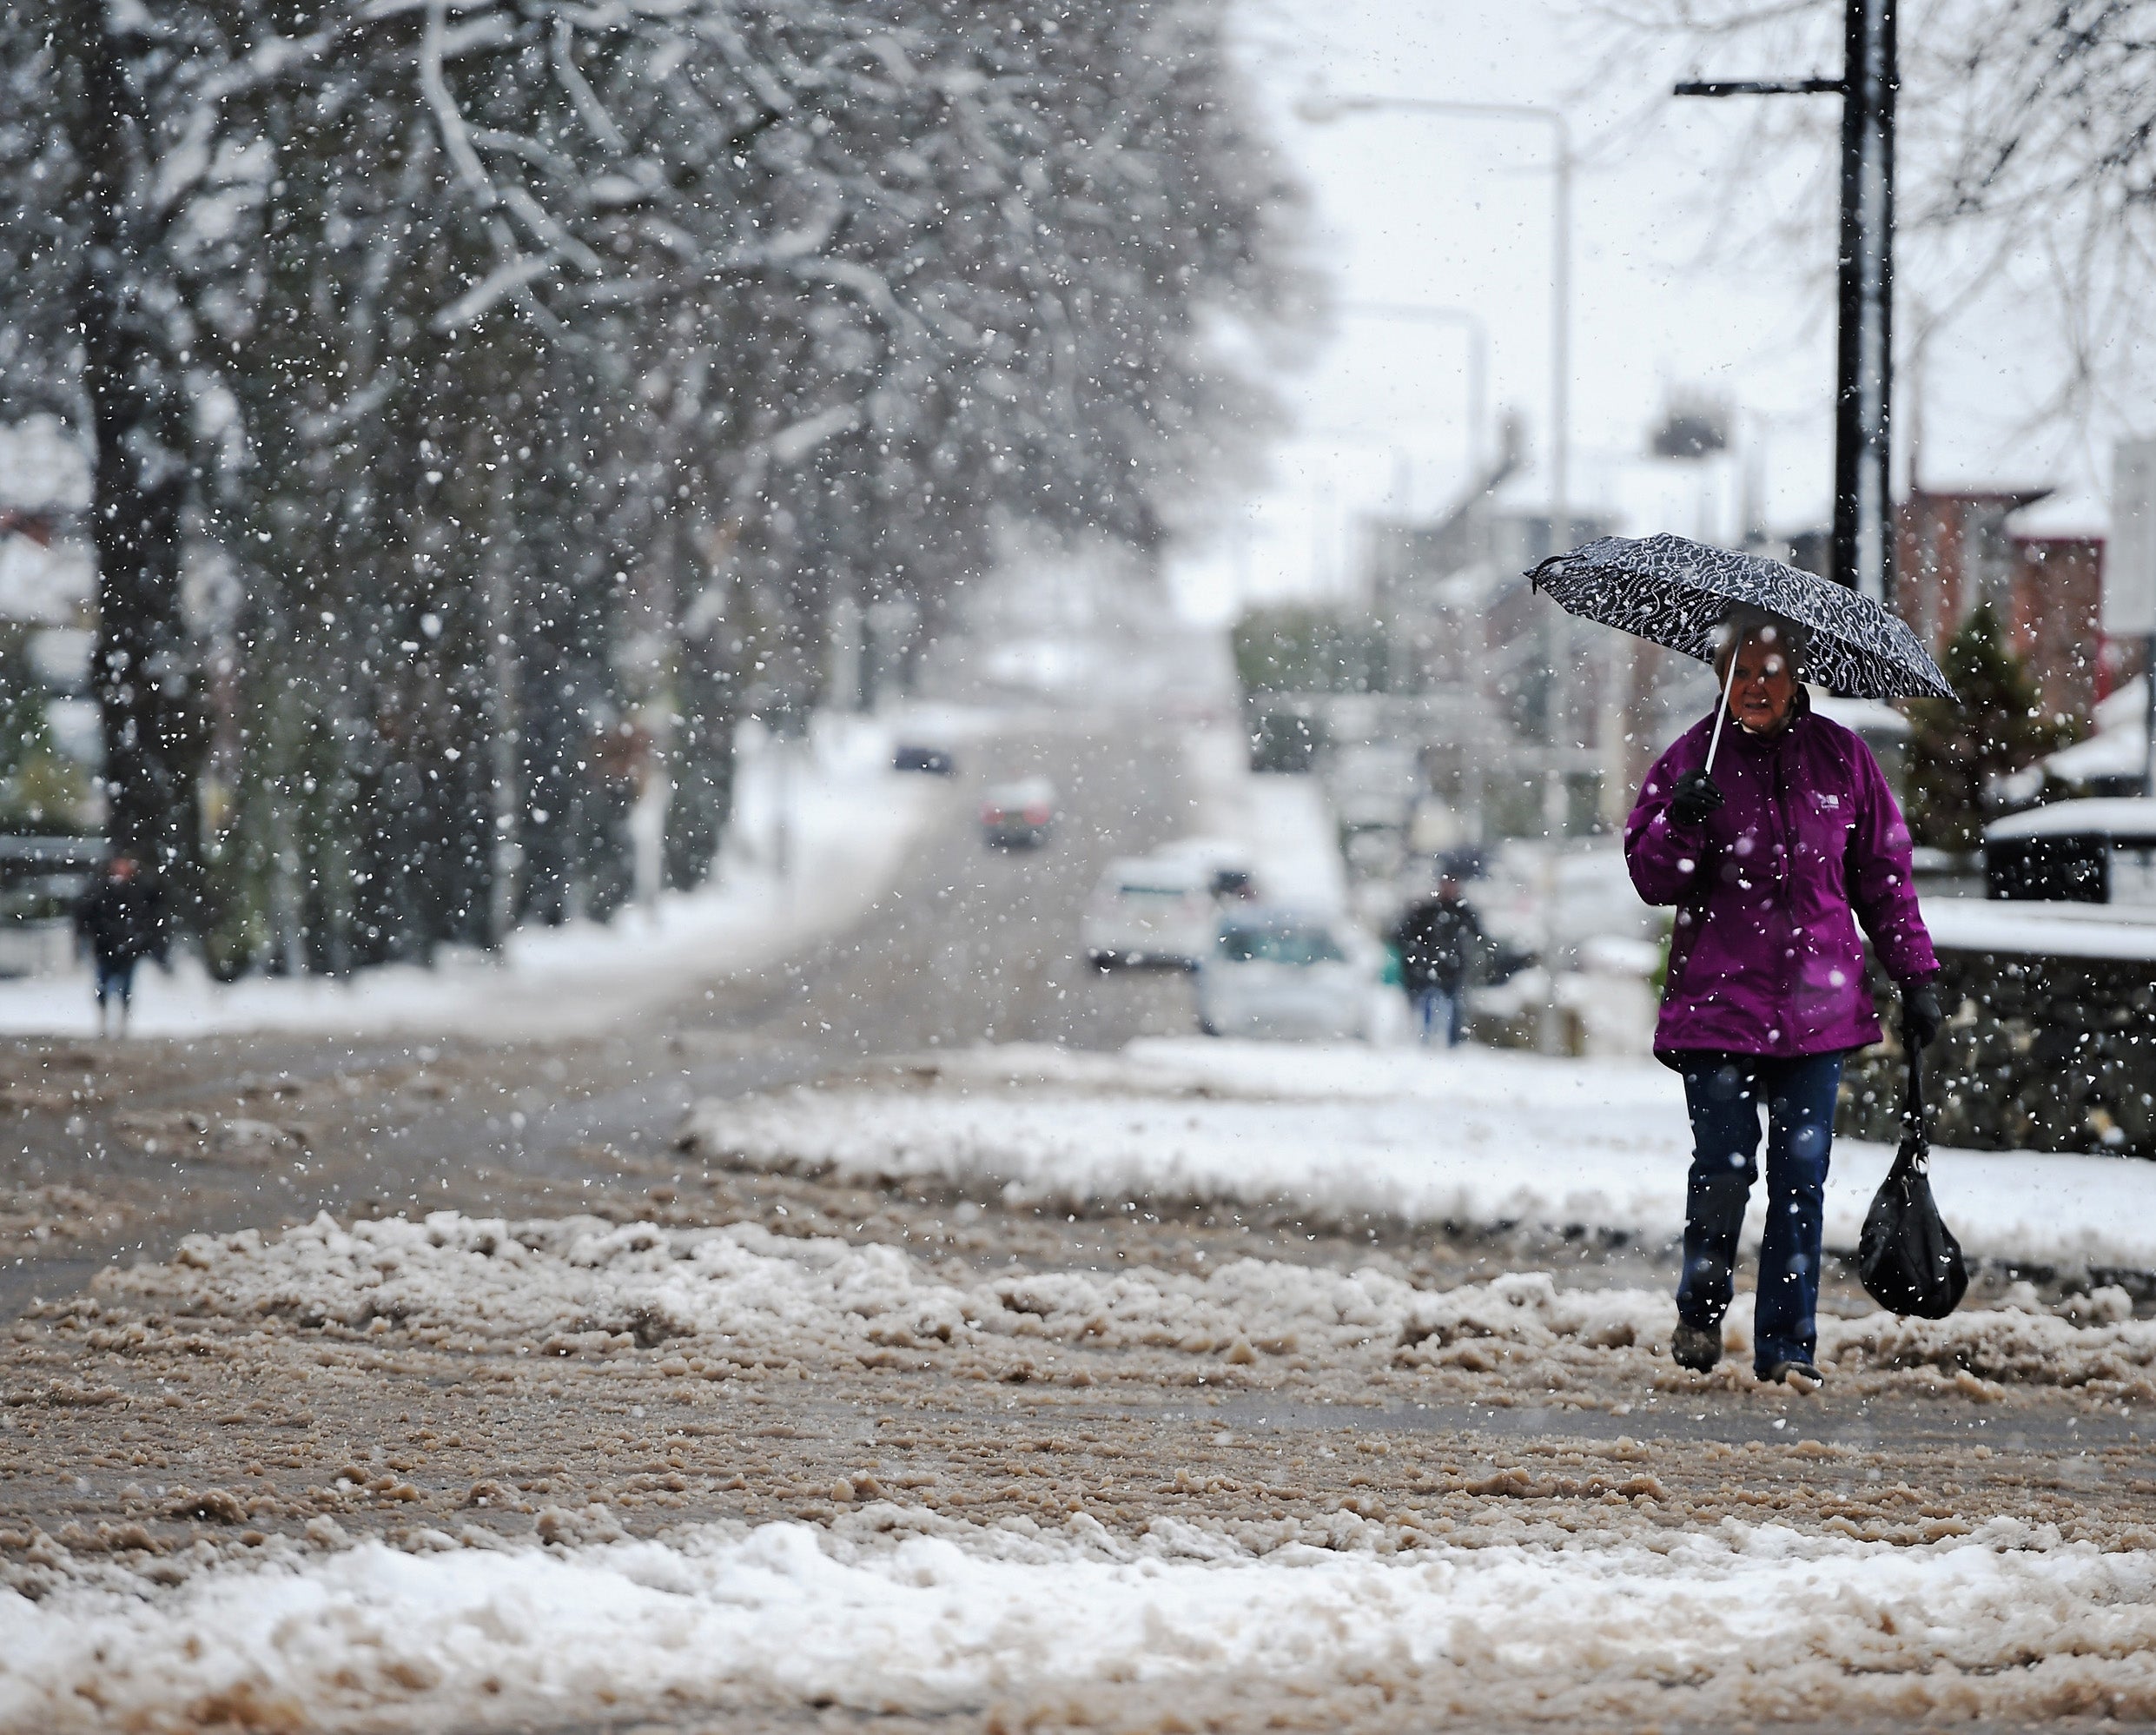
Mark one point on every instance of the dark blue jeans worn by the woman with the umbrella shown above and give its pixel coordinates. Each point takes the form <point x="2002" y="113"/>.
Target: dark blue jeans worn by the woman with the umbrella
<point x="1726" y="1094"/>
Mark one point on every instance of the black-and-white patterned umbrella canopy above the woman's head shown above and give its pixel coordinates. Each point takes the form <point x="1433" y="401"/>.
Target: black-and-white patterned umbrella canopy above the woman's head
<point x="1678" y="594"/>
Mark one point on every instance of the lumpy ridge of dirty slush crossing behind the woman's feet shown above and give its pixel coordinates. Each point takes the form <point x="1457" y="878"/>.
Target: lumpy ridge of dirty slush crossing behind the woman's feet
<point x="725" y="1299"/>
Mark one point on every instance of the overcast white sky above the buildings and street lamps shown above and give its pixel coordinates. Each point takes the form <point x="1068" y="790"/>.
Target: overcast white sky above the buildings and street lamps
<point x="1450" y="212"/>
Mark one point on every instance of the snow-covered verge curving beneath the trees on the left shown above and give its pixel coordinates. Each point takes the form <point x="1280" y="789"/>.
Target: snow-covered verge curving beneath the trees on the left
<point x="851" y="820"/>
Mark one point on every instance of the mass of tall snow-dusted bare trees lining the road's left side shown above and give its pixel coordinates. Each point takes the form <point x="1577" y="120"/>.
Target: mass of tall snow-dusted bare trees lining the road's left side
<point x="493" y="339"/>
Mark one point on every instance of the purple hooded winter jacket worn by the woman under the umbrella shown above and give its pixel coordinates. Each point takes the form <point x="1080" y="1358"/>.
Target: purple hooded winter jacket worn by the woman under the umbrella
<point x="1765" y="956"/>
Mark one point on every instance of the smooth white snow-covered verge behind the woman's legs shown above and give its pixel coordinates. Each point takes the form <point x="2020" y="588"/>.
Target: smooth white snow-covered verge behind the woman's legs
<point x="1476" y="1139"/>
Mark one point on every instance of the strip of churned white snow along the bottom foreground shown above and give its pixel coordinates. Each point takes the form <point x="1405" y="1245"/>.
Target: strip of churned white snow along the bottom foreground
<point x="915" y="1613"/>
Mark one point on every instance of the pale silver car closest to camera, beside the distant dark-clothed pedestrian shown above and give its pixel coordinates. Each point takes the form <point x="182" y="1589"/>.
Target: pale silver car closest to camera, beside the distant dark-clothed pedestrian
<point x="1284" y="973"/>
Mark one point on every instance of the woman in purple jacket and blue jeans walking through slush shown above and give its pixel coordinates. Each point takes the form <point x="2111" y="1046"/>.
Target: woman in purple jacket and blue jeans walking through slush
<point x="1771" y="861"/>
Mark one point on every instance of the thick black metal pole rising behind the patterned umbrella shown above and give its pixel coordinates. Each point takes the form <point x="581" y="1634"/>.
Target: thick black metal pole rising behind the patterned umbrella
<point x="1864" y="365"/>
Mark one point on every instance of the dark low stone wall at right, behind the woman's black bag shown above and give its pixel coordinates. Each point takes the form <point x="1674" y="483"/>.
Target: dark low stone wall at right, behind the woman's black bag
<point x="2038" y="1055"/>
